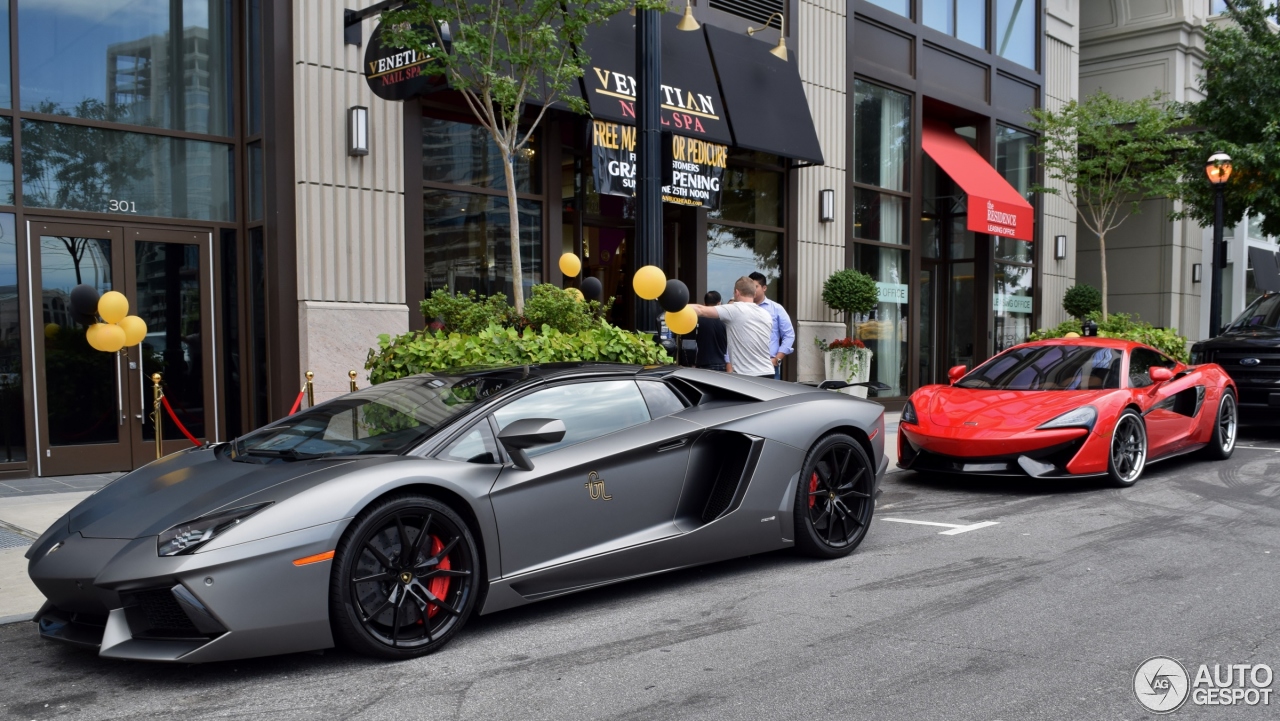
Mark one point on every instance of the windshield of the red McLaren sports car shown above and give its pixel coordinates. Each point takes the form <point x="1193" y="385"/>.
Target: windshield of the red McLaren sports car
<point x="1049" y="368"/>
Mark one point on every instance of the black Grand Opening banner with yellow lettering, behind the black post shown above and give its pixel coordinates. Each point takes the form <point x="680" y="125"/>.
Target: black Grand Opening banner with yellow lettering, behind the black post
<point x="693" y="170"/>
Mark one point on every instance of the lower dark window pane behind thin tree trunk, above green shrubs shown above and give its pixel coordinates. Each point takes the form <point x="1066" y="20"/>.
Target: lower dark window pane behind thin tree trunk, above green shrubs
<point x="468" y="243"/>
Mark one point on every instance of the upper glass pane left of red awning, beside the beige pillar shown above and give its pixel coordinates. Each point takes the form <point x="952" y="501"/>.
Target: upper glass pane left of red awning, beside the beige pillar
<point x="883" y="138"/>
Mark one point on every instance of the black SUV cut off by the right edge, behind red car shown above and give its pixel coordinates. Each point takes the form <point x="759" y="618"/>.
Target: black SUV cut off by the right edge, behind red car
<point x="1249" y="350"/>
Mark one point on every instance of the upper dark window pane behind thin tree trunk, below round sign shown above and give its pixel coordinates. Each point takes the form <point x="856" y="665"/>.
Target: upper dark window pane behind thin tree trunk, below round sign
<point x="461" y="154"/>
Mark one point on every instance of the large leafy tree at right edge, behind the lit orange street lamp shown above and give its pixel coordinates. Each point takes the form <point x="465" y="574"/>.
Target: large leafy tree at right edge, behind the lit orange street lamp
<point x="1240" y="116"/>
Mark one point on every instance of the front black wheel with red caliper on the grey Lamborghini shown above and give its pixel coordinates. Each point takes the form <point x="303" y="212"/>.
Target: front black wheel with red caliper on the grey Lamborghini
<point x="405" y="578"/>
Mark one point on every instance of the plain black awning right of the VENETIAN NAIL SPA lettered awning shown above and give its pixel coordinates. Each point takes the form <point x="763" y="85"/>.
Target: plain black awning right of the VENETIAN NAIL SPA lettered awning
<point x="764" y="97"/>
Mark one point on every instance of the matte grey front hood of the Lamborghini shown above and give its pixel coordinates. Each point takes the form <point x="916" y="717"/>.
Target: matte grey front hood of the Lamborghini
<point x="180" y="489"/>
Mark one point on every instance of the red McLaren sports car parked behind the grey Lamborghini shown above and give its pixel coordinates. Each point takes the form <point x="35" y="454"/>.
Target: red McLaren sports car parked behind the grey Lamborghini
<point x="1069" y="408"/>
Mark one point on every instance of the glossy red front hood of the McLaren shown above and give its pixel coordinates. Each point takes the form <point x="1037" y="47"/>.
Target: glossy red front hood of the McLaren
<point x="1012" y="410"/>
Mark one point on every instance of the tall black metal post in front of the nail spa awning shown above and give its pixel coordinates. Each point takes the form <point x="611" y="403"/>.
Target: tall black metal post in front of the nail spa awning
<point x="648" y="156"/>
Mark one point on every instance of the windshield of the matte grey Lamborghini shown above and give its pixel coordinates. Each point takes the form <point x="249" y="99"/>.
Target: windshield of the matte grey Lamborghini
<point x="387" y="419"/>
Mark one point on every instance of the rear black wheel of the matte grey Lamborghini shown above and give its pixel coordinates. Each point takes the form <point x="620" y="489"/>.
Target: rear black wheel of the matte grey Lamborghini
<point x="834" y="499"/>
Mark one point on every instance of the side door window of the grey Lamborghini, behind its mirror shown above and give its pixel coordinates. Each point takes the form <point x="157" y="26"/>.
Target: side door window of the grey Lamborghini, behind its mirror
<point x="589" y="410"/>
